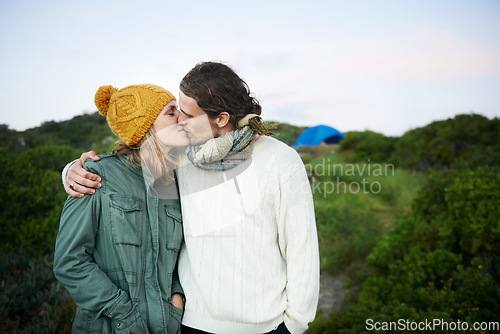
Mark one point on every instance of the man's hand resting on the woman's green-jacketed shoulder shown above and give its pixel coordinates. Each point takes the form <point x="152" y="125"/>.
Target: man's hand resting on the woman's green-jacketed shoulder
<point x="79" y="181"/>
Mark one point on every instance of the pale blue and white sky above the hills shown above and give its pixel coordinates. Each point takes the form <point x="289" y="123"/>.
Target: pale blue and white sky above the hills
<point x="387" y="66"/>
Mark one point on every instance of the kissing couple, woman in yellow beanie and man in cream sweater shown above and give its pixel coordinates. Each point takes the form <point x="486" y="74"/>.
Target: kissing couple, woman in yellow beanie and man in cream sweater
<point x="242" y="257"/>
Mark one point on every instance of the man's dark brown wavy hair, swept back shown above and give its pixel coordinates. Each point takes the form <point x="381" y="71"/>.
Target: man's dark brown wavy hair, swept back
<point x="217" y="88"/>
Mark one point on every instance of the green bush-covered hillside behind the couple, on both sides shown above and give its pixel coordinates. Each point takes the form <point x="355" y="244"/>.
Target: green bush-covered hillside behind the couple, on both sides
<point x="412" y="220"/>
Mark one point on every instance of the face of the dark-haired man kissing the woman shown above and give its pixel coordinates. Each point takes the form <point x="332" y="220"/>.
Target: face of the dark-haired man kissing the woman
<point x="198" y="126"/>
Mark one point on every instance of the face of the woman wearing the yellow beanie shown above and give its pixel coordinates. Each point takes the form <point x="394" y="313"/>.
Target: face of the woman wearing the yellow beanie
<point x="170" y="133"/>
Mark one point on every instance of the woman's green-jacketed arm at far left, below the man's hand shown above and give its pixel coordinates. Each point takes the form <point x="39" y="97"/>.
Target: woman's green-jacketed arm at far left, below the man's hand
<point x="74" y="266"/>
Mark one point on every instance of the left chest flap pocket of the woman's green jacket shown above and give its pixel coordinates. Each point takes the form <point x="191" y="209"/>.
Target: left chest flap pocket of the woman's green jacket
<point x="127" y="218"/>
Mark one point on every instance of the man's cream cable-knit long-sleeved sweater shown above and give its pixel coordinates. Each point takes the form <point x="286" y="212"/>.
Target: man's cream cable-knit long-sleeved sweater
<point x="250" y="259"/>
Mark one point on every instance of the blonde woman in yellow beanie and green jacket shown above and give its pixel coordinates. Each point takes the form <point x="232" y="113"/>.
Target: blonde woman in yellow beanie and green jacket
<point x="116" y="251"/>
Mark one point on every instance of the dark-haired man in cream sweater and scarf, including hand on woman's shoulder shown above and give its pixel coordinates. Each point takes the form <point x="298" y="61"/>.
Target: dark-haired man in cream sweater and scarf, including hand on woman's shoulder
<point x="250" y="261"/>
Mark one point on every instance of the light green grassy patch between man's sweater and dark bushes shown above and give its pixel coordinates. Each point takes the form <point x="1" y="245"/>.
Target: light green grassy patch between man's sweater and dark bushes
<point x="351" y="220"/>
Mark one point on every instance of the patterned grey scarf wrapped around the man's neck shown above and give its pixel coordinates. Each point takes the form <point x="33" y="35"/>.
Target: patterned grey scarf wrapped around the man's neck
<point x="224" y="152"/>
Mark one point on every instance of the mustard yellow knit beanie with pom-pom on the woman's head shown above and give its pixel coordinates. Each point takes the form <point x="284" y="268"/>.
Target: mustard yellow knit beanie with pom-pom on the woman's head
<point x="131" y="111"/>
